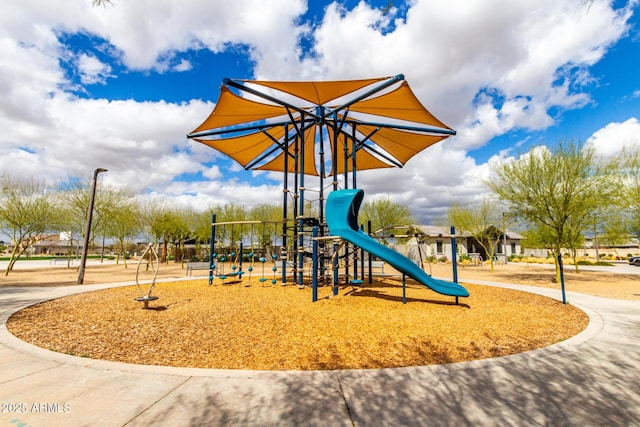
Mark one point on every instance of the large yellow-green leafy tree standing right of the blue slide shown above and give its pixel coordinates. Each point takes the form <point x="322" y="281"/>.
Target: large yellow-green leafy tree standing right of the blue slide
<point x="557" y="190"/>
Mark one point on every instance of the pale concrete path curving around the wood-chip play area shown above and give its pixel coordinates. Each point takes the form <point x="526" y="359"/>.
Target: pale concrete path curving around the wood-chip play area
<point x="592" y="379"/>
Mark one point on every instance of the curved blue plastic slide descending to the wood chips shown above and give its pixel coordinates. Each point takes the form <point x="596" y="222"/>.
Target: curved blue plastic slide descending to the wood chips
<point x="342" y="219"/>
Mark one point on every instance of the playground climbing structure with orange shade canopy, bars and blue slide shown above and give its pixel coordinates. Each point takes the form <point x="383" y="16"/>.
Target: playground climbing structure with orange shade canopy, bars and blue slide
<point x="305" y="129"/>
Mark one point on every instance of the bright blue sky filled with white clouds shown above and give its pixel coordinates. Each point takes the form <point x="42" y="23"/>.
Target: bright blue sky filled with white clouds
<point x="120" y="86"/>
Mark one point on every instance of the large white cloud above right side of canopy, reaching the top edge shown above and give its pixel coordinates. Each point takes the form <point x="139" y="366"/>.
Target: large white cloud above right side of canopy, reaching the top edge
<point x="449" y="55"/>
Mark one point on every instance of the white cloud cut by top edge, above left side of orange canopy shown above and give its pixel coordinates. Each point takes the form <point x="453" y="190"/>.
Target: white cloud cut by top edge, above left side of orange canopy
<point x="268" y="27"/>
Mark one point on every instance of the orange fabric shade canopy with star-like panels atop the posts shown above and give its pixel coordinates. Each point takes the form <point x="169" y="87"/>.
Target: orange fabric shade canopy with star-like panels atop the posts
<point x="279" y="126"/>
